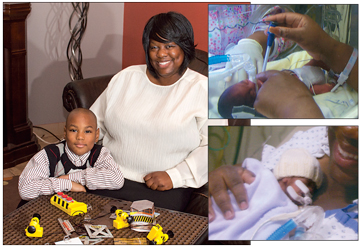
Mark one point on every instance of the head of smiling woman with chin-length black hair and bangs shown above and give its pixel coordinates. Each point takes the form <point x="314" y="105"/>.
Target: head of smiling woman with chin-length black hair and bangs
<point x="168" y="41"/>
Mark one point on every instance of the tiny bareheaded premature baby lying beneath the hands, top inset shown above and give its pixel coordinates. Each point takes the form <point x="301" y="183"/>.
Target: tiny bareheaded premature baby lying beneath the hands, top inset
<point x="244" y="92"/>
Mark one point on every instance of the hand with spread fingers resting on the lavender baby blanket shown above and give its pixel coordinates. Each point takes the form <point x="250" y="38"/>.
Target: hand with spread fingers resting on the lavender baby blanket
<point x="232" y="178"/>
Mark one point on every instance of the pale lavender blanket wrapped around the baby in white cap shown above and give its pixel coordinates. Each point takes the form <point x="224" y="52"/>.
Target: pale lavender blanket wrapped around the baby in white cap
<point x="266" y="199"/>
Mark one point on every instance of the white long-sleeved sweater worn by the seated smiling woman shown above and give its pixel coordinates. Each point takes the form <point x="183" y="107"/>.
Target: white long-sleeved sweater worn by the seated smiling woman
<point x="150" y="128"/>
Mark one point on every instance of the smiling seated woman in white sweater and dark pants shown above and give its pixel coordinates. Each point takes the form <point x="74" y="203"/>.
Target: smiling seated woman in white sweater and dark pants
<point x="153" y="118"/>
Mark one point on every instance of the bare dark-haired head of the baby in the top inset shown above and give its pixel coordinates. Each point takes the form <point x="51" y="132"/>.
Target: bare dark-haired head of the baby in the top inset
<point x="242" y="93"/>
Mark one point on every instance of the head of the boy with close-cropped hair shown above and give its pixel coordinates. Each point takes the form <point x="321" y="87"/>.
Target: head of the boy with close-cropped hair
<point x="80" y="131"/>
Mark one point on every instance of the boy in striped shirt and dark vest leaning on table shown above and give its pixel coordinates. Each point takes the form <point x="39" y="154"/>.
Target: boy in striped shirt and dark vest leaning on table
<point x="73" y="164"/>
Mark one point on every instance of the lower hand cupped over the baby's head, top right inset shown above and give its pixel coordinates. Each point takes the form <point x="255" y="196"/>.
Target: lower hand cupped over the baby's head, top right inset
<point x="284" y="96"/>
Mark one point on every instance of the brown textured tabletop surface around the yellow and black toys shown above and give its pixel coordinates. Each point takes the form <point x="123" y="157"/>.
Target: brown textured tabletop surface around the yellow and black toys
<point x="187" y="228"/>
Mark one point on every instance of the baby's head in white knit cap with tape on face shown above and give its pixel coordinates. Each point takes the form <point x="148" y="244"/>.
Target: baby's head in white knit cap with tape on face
<point x="299" y="175"/>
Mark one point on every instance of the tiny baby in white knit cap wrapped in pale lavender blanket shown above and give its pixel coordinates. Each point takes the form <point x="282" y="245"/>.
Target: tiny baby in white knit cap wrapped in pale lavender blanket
<point x="270" y="194"/>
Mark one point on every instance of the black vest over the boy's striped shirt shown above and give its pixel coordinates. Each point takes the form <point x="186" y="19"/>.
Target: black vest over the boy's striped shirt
<point x="56" y="153"/>
